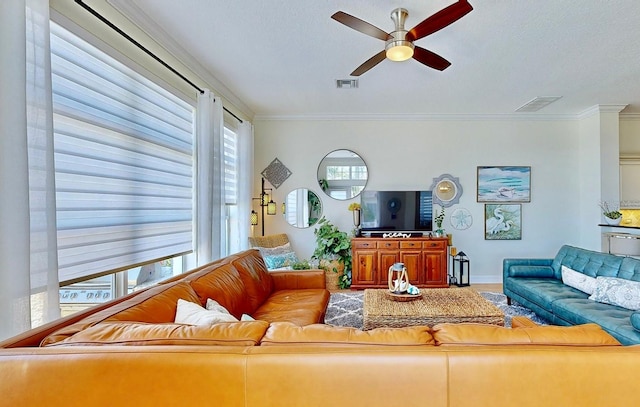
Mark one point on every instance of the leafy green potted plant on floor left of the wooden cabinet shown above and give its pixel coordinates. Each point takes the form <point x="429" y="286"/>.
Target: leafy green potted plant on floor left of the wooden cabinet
<point x="333" y="250"/>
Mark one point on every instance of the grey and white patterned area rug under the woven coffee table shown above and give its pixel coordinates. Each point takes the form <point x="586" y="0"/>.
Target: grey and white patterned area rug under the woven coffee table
<point x="345" y="309"/>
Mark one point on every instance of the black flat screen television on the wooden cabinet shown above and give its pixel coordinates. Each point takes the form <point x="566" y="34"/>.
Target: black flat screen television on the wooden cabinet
<point x="396" y="211"/>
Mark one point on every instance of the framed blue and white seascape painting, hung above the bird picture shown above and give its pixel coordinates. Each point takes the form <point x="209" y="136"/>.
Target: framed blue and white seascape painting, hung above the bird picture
<point x="504" y="184"/>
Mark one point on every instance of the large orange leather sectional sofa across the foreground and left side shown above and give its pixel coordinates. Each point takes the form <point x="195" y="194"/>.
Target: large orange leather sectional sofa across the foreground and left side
<point x="129" y="352"/>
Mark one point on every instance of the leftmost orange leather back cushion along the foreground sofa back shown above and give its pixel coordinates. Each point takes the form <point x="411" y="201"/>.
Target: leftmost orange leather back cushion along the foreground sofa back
<point x="137" y="333"/>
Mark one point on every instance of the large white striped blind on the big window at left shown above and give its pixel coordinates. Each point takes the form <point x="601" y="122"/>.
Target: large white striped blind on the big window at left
<point x="123" y="160"/>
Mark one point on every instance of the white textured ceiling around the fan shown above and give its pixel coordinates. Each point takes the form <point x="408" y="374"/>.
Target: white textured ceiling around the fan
<point x="282" y="58"/>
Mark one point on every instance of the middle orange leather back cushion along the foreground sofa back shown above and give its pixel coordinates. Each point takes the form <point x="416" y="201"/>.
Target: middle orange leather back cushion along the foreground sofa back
<point x="286" y="333"/>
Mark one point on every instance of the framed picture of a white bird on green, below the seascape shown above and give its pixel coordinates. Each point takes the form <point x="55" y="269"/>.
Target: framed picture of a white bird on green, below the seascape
<point x="502" y="221"/>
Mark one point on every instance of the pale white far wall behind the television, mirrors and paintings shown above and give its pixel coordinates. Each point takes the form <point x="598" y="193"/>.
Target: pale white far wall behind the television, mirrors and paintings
<point x="409" y="154"/>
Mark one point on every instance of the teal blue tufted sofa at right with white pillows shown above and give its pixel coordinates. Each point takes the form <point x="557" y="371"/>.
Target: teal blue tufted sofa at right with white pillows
<point x="537" y="284"/>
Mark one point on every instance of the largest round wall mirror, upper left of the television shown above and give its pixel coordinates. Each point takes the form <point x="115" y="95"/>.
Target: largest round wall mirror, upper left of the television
<point x="342" y="174"/>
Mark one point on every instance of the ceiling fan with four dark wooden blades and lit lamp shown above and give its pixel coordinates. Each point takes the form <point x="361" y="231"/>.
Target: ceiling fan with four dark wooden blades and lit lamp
<point x="399" y="43"/>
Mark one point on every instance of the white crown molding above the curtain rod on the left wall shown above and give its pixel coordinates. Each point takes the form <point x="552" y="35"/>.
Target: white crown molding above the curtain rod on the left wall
<point x="138" y="17"/>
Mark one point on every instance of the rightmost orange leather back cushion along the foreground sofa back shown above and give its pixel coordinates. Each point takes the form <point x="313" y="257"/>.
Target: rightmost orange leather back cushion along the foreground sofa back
<point x="481" y="334"/>
